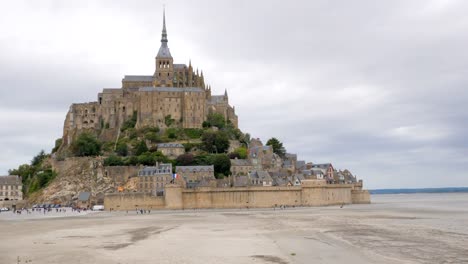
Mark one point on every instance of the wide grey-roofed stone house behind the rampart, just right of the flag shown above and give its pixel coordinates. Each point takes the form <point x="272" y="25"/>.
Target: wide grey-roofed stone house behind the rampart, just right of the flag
<point x="194" y="175"/>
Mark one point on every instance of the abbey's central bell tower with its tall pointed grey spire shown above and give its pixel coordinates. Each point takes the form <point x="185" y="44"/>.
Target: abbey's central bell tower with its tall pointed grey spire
<point x="164" y="73"/>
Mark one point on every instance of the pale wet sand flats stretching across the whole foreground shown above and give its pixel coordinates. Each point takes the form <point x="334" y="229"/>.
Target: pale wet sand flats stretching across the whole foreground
<point x="416" y="228"/>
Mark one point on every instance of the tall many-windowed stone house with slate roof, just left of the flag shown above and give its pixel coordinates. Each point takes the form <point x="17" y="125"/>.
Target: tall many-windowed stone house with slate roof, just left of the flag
<point x="154" y="179"/>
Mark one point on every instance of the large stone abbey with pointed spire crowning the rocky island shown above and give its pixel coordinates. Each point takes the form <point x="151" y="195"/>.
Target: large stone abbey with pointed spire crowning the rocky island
<point x="174" y="92"/>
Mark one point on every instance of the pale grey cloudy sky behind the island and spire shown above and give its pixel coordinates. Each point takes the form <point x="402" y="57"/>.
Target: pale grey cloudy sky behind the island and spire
<point x="378" y="87"/>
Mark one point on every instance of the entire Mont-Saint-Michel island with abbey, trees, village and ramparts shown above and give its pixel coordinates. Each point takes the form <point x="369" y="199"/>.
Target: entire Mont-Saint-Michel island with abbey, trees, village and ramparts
<point x="164" y="141"/>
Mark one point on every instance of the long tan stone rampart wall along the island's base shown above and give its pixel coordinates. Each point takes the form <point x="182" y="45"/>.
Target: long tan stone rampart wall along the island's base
<point x="312" y="193"/>
